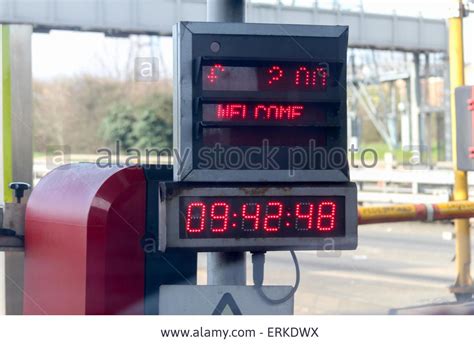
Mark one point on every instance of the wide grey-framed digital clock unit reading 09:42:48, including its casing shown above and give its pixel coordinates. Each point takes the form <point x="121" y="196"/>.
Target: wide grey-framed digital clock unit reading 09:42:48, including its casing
<point x="257" y="216"/>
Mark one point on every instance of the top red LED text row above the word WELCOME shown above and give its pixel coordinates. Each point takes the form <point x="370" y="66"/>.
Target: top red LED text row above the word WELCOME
<point x="265" y="77"/>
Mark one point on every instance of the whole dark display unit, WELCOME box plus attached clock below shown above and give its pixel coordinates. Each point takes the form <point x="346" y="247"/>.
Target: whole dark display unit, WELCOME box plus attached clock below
<point x="260" y="123"/>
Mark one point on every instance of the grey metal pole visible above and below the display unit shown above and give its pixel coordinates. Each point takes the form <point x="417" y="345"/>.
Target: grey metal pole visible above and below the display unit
<point x="226" y="268"/>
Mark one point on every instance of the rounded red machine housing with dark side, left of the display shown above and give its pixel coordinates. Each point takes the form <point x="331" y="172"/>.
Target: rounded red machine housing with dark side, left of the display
<point x="84" y="243"/>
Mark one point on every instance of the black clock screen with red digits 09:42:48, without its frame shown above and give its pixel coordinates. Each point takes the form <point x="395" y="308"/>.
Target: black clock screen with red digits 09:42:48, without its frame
<point x="262" y="217"/>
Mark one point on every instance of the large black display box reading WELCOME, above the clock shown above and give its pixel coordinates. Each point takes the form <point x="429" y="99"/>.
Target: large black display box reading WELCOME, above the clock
<point x="239" y="86"/>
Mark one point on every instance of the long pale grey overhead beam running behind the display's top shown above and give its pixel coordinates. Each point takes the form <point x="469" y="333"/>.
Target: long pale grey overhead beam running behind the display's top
<point x="123" y="17"/>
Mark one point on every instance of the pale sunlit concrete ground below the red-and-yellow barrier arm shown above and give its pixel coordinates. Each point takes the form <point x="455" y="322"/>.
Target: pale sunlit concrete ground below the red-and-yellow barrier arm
<point x="396" y="265"/>
